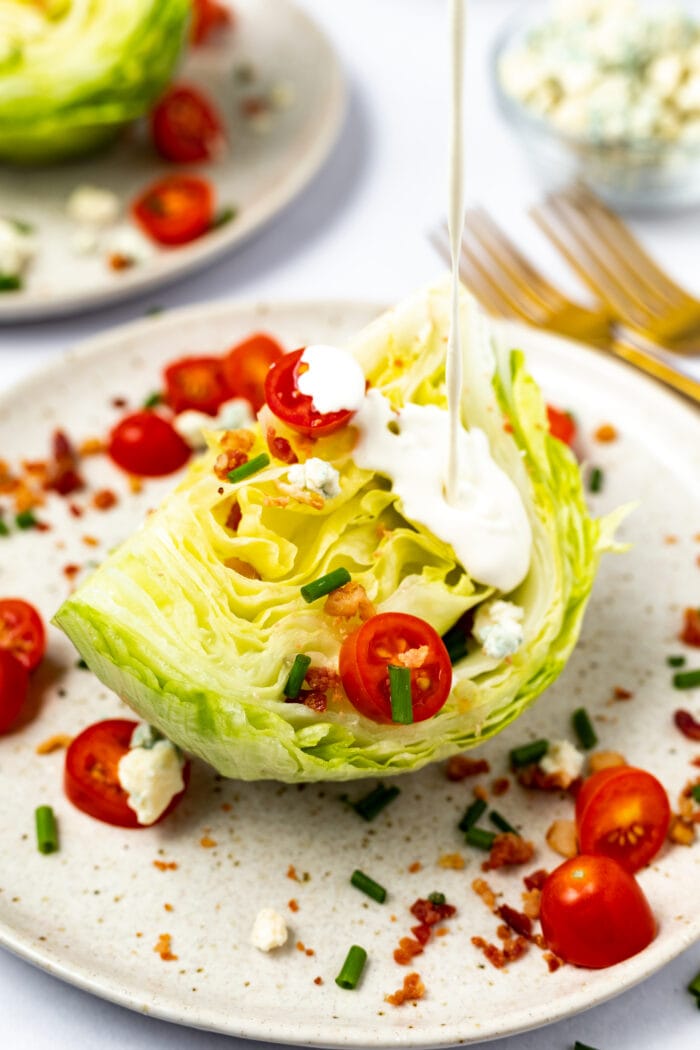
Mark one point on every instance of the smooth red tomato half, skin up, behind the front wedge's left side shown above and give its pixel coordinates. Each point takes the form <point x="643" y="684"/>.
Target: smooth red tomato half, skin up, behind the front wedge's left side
<point x="147" y="445"/>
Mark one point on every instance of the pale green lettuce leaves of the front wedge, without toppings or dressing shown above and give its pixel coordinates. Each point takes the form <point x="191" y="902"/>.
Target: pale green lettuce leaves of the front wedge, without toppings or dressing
<point x="178" y="624"/>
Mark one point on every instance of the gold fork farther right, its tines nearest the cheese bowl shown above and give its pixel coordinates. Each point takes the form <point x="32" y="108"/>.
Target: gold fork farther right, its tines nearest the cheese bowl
<point x="610" y="260"/>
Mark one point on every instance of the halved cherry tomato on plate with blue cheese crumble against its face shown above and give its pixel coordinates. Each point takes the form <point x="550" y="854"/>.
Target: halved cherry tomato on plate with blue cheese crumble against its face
<point x="91" y="778"/>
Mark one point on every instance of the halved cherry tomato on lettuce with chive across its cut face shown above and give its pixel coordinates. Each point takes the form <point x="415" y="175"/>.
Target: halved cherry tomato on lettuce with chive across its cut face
<point x="399" y="639"/>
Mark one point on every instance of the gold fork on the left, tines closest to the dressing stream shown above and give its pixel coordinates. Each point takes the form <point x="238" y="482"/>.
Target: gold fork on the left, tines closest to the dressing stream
<point x="508" y="286"/>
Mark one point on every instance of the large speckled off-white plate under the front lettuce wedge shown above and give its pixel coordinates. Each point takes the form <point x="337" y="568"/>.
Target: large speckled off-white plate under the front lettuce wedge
<point x="93" y="913"/>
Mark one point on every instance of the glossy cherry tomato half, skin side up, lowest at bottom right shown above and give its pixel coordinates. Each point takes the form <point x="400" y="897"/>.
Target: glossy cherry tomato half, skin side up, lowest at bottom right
<point x="595" y="914"/>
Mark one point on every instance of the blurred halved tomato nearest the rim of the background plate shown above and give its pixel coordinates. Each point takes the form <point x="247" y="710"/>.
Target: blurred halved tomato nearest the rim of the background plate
<point x="176" y="209"/>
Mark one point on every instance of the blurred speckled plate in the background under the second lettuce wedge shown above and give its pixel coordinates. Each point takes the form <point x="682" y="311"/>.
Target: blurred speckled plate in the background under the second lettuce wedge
<point x="260" y="175"/>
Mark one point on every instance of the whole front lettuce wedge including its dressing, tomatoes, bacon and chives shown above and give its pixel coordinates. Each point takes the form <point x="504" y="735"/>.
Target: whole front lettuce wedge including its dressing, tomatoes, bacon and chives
<point x="310" y="607"/>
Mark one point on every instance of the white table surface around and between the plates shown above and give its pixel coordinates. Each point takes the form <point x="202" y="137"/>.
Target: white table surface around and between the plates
<point x="359" y="233"/>
